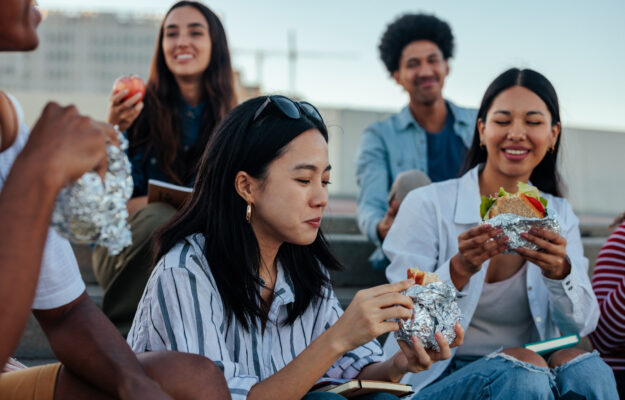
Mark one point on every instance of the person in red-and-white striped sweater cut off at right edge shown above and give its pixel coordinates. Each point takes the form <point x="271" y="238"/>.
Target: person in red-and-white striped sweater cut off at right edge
<point x="608" y="282"/>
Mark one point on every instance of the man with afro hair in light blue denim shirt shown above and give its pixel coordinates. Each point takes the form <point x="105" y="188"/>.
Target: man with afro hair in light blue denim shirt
<point x="426" y="141"/>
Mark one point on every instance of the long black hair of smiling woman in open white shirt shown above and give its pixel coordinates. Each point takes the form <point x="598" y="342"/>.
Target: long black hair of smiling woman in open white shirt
<point x="545" y="175"/>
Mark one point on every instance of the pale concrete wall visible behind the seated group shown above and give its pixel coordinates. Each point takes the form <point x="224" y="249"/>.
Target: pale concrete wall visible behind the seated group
<point x="593" y="161"/>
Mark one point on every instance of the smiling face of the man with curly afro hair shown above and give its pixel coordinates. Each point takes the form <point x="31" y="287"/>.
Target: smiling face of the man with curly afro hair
<point x="422" y="71"/>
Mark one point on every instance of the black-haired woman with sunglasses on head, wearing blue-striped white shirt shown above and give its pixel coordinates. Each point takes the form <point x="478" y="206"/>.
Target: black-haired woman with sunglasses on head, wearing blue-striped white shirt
<point x="242" y="270"/>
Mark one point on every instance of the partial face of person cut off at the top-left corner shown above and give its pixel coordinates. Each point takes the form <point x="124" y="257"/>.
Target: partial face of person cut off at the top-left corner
<point x="19" y="20"/>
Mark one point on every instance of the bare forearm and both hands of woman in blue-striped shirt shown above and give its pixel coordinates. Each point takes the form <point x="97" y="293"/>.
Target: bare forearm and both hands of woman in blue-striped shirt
<point x="368" y="316"/>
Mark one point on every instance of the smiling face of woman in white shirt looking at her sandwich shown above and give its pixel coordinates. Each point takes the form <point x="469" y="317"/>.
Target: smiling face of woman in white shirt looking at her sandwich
<point x="517" y="133"/>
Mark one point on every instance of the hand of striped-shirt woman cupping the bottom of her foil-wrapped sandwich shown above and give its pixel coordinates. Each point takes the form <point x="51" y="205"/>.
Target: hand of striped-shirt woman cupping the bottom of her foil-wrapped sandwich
<point x="415" y="358"/>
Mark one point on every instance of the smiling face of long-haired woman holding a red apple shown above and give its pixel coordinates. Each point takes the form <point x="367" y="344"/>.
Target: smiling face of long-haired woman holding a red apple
<point x="186" y="42"/>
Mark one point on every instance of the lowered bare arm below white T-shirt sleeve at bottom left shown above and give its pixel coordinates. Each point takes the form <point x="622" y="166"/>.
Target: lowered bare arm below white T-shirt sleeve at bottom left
<point x="87" y="344"/>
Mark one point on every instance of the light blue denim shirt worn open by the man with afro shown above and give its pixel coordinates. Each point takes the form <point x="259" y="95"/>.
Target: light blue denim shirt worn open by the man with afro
<point x="387" y="148"/>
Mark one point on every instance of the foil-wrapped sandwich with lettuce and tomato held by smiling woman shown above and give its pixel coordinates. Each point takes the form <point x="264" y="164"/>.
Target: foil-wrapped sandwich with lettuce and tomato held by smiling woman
<point x="518" y="213"/>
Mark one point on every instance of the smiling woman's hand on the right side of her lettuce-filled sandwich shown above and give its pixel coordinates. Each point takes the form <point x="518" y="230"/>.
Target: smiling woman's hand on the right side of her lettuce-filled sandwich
<point x="552" y="259"/>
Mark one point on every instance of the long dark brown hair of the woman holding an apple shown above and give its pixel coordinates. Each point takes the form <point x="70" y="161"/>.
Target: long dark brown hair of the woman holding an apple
<point x="158" y="129"/>
